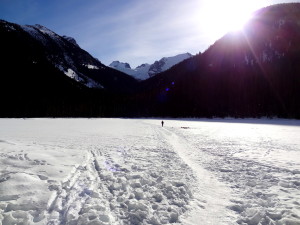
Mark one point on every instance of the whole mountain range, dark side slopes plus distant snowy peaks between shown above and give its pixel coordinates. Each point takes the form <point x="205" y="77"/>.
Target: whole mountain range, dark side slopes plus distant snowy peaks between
<point x="251" y="73"/>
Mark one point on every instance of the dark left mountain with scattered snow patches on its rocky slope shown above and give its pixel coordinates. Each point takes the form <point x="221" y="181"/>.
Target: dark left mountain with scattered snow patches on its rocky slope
<point x="44" y="74"/>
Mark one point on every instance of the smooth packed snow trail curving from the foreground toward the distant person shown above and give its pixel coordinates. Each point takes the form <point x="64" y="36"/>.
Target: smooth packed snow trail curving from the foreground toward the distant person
<point x="211" y="196"/>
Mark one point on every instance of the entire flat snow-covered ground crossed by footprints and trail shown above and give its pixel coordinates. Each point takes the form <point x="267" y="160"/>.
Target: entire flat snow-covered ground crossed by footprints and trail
<point x="133" y="171"/>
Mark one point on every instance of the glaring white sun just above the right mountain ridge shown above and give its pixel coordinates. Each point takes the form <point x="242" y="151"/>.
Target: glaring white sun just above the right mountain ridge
<point x="220" y="17"/>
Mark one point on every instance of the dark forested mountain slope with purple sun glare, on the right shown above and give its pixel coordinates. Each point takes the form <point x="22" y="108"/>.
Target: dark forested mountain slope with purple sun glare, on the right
<point x="251" y="73"/>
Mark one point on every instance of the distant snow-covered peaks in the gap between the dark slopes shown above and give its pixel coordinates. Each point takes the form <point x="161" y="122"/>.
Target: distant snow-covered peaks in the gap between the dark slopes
<point x="146" y="71"/>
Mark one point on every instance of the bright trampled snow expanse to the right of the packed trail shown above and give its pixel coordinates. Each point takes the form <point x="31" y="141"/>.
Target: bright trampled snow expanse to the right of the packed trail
<point x="259" y="162"/>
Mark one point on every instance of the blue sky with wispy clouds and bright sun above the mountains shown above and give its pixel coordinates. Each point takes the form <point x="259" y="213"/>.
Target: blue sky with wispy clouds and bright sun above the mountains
<point x="135" y="31"/>
